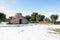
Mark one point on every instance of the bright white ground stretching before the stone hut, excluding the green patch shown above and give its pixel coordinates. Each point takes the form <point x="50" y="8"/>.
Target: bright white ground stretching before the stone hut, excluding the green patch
<point x="28" y="32"/>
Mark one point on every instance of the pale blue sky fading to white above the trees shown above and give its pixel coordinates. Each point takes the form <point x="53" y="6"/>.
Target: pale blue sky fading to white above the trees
<point x="26" y="7"/>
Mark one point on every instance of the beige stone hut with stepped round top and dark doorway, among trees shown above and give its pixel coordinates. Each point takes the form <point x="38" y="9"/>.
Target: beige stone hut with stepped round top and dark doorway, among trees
<point x="18" y="19"/>
